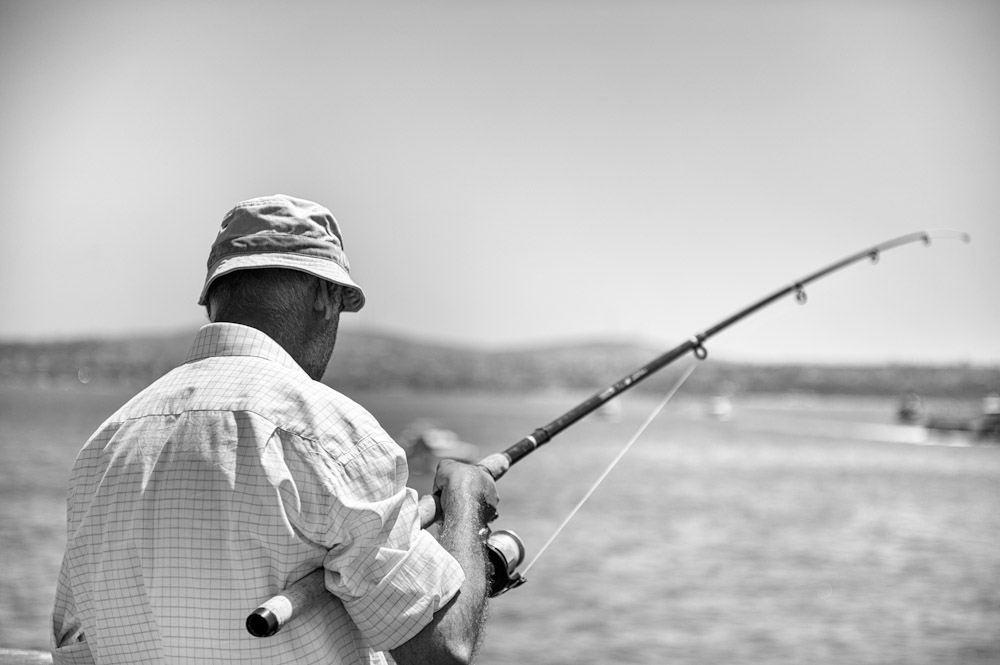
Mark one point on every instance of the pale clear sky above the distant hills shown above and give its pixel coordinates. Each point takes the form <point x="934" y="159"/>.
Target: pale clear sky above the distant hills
<point x="512" y="174"/>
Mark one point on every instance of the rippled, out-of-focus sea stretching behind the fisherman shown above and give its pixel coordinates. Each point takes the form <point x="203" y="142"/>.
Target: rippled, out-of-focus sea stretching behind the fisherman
<point x="779" y="529"/>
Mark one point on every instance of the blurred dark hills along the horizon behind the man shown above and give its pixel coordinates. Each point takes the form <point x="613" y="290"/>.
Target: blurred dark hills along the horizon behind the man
<point x="371" y="360"/>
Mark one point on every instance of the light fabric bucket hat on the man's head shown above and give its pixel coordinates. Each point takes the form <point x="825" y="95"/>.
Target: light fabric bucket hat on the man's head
<point x="282" y="232"/>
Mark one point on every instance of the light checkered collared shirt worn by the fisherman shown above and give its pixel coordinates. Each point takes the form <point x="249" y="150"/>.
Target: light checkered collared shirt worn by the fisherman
<point x="218" y="486"/>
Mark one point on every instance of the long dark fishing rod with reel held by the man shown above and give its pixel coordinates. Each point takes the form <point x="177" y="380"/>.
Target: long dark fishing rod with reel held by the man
<point x="504" y="548"/>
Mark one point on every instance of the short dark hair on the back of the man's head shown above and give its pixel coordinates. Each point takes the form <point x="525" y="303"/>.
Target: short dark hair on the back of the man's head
<point x="275" y="295"/>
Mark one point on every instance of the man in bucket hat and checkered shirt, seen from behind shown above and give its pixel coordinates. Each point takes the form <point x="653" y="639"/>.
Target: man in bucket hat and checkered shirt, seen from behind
<point x="238" y="473"/>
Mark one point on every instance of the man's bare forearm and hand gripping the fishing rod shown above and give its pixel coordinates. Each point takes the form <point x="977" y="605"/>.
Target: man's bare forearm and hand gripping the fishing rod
<point x="468" y="502"/>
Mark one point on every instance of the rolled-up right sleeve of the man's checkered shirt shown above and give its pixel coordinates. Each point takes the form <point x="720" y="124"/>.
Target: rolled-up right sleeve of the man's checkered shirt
<point x="391" y="575"/>
